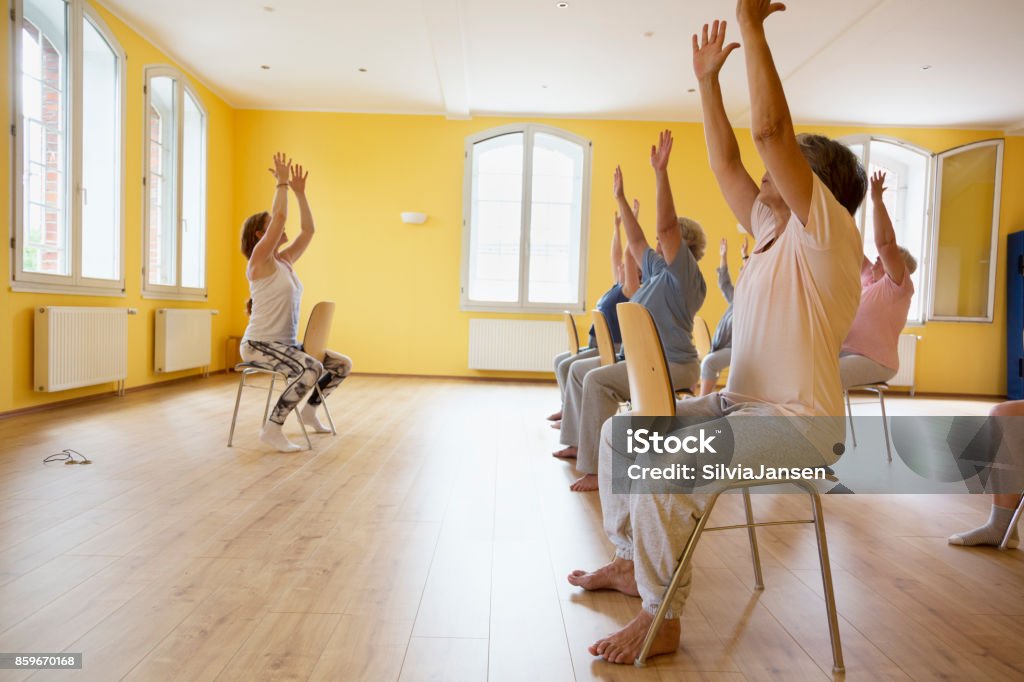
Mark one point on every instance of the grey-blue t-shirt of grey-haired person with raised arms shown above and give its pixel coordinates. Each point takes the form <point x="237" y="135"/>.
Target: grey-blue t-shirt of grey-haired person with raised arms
<point x="673" y="293"/>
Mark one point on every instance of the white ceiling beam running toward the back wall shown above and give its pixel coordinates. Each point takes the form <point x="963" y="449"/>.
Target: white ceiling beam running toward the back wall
<point x="446" y="32"/>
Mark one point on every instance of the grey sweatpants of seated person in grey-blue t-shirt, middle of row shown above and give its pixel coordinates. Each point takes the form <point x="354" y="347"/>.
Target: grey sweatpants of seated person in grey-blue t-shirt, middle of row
<point x="594" y="394"/>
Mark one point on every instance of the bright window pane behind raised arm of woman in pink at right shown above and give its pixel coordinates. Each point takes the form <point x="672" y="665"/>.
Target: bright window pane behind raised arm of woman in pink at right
<point x="907" y="198"/>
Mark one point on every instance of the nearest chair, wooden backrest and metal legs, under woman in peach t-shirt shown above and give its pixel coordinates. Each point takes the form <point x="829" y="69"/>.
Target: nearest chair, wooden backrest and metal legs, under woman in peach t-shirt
<point x="651" y="392"/>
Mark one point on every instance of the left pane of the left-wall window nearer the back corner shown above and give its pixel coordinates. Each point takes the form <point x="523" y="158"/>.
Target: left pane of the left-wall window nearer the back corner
<point x="162" y="267"/>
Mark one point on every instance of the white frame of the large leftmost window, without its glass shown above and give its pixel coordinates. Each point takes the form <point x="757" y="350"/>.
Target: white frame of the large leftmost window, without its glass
<point x="78" y="13"/>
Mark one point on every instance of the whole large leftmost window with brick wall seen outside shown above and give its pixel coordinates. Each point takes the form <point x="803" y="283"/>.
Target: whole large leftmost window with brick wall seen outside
<point x="68" y="186"/>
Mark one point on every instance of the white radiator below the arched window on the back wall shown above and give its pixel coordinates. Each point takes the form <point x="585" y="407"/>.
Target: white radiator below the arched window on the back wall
<point x="516" y="346"/>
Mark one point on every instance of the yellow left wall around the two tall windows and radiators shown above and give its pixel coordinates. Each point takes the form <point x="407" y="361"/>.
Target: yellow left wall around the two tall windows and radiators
<point x="17" y="309"/>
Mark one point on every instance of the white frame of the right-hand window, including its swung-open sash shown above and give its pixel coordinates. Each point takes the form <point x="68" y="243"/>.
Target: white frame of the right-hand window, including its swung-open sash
<point x="933" y="197"/>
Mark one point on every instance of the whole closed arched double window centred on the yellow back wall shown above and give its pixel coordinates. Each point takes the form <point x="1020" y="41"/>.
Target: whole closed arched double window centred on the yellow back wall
<point x="526" y="219"/>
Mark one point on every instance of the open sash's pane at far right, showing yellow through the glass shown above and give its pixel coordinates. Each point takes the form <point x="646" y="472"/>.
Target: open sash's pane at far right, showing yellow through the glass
<point x="965" y="240"/>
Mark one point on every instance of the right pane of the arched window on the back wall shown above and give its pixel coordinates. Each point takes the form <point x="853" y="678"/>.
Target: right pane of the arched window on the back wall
<point x="557" y="212"/>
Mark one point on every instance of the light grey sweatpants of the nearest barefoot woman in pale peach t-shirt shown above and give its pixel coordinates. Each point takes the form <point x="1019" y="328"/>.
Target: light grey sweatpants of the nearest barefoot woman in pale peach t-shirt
<point x="652" y="529"/>
